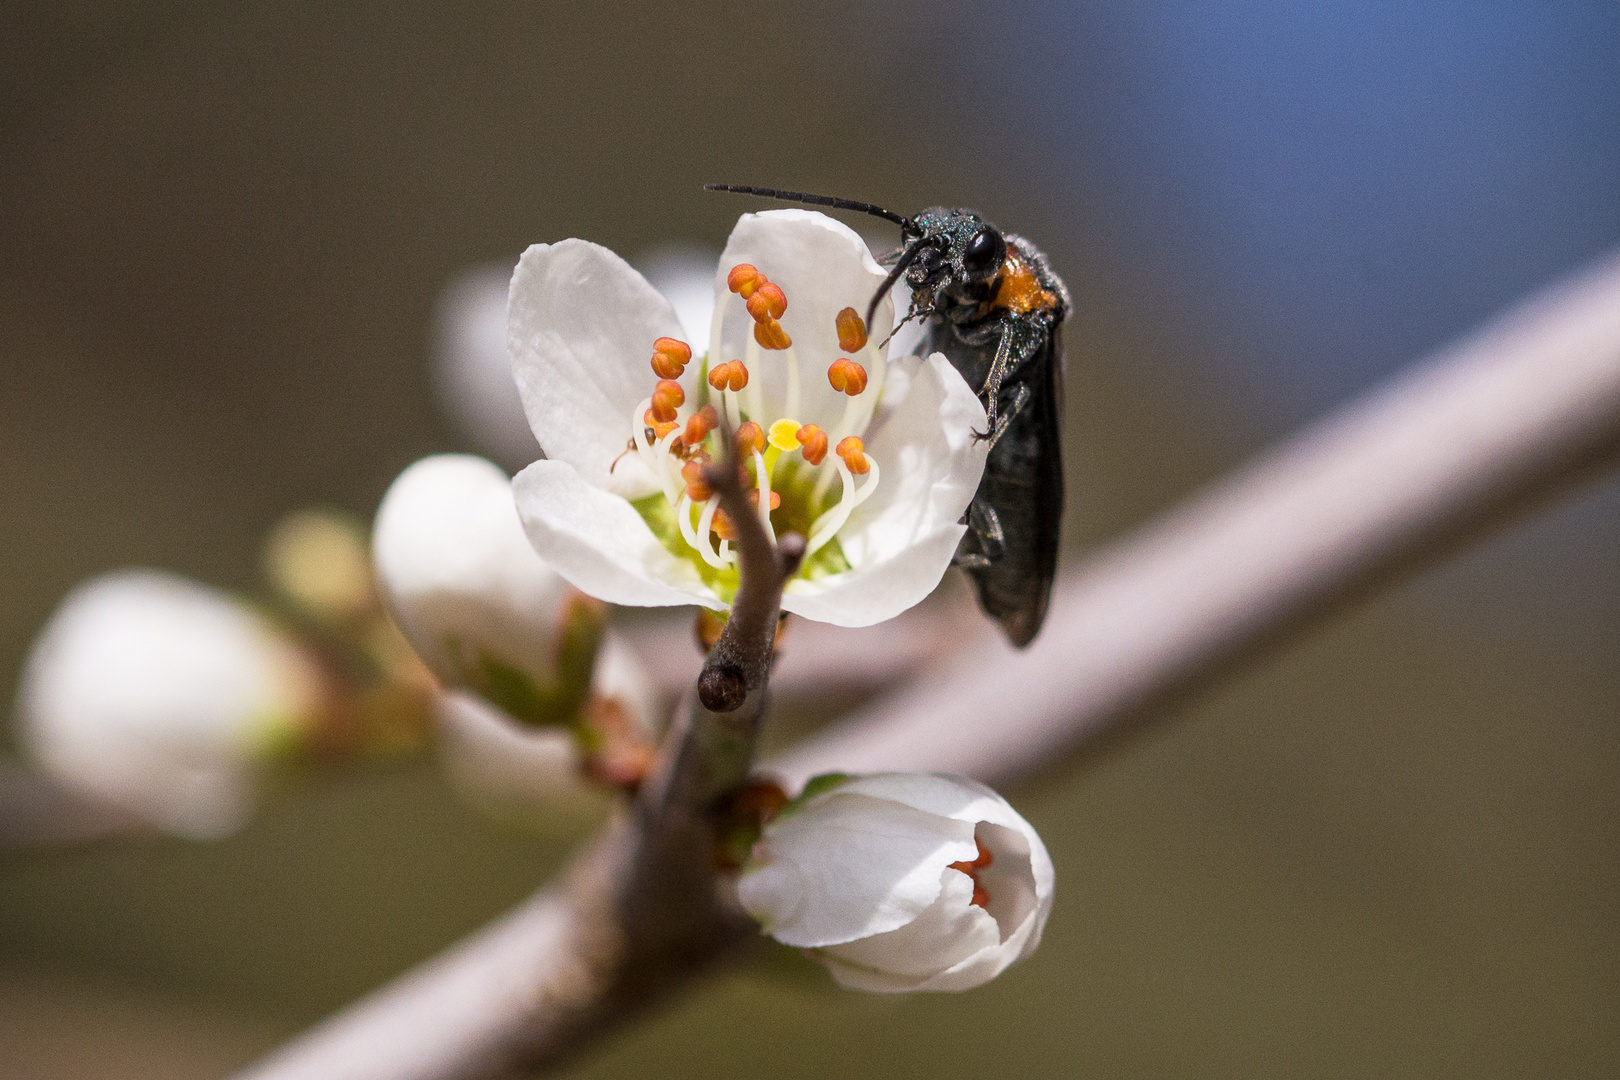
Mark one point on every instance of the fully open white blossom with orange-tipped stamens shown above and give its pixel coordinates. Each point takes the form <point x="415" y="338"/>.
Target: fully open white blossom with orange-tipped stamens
<point x="876" y="467"/>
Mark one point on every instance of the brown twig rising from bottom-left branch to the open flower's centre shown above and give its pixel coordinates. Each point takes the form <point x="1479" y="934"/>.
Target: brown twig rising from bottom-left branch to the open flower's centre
<point x="637" y="914"/>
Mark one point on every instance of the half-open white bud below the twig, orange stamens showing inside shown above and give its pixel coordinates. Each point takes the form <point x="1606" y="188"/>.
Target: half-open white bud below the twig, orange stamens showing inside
<point x="902" y="882"/>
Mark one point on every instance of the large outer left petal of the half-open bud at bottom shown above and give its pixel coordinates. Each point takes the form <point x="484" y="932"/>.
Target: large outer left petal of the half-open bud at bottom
<point x="846" y="867"/>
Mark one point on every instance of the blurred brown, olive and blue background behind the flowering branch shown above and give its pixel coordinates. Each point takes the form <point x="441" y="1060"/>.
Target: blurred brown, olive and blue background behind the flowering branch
<point x="1391" y="849"/>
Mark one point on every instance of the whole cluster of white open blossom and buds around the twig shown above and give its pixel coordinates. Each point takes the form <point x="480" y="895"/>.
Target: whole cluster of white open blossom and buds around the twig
<point x="166" y="697"/>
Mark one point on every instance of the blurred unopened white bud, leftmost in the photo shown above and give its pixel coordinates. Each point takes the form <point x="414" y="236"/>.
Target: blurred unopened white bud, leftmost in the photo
<point x="163" y="695"/>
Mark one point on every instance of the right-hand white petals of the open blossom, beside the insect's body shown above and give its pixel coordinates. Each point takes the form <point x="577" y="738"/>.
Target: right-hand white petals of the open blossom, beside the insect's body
<point x="900" y="543"/>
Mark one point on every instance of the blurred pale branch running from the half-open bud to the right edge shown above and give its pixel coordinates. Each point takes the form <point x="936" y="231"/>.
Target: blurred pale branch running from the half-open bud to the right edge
<point x="1439" y="456"/>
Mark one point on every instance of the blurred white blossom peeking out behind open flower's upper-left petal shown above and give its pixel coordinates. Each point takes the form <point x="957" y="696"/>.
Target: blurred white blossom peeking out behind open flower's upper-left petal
<point x="472" y="368"/>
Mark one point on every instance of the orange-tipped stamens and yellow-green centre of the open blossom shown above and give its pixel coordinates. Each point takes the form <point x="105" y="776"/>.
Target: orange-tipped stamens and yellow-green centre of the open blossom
<point x="787" y="466"/>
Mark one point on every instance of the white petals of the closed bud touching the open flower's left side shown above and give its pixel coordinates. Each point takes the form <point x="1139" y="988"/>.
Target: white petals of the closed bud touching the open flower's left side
<point x="461" y="574"/>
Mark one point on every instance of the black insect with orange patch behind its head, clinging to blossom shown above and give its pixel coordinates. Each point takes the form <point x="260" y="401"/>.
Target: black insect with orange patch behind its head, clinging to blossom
<point x="995" y="310"/>
